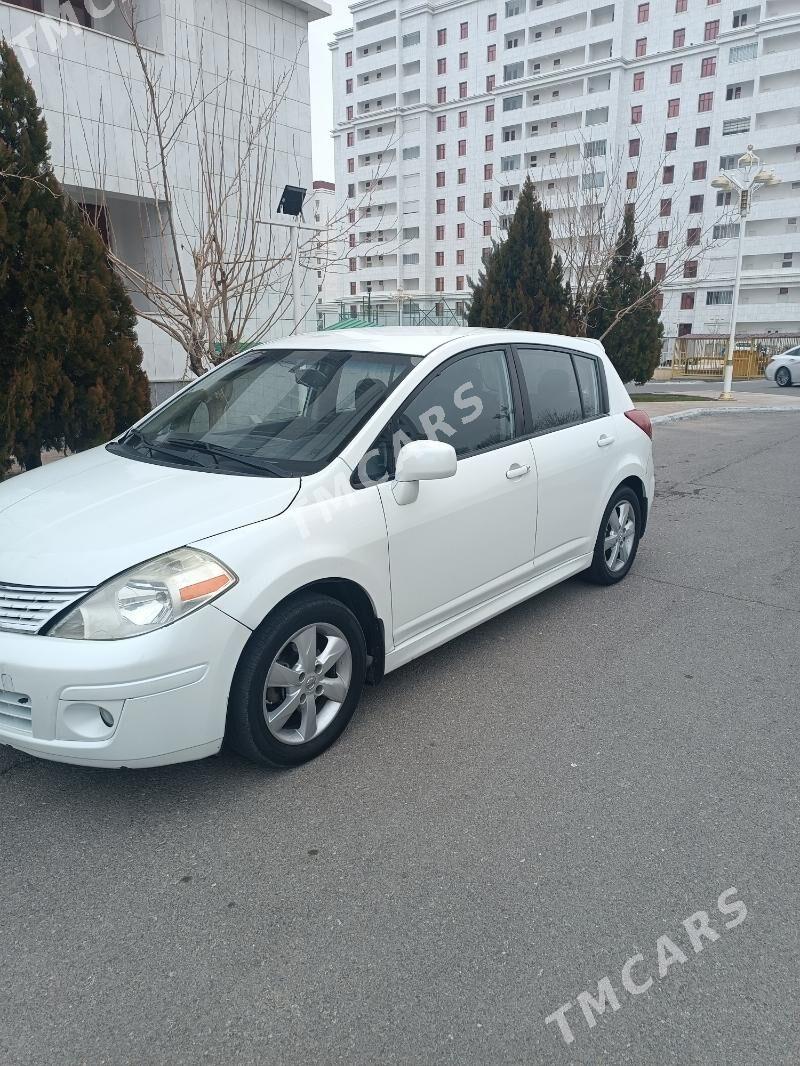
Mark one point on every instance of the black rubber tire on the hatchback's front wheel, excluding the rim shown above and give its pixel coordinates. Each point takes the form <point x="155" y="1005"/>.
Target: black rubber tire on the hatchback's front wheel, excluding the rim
<point x="248" y="732"/>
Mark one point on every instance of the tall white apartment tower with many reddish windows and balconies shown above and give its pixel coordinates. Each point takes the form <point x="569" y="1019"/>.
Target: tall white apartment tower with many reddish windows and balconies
<point x="442" y="109"/>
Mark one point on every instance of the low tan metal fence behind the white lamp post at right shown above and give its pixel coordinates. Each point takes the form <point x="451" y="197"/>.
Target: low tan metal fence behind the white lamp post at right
<point x="703" y="356"/>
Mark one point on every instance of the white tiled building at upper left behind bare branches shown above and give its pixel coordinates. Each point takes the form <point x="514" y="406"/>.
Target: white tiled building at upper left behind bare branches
<point x="82" y="63"/>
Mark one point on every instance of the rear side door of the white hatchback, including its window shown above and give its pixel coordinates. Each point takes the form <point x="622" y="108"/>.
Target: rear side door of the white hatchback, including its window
<point x="573" y="443"/>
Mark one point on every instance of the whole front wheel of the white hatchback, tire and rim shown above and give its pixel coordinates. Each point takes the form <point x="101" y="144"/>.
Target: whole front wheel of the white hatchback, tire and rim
<point x="298" y="683"/>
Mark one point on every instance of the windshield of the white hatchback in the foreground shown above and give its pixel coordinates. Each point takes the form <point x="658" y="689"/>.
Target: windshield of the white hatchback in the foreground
<point x="276" y="413"/>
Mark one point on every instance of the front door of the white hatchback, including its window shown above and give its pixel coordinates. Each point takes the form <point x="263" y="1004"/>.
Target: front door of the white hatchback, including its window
<point x="468" y="538"/>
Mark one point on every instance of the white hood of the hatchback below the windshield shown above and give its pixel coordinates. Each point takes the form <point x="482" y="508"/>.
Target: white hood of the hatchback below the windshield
<point x="81" y="521"/>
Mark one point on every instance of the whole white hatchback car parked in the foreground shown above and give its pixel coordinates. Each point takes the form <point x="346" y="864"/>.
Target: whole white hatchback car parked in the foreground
<point x="311" y="515"/>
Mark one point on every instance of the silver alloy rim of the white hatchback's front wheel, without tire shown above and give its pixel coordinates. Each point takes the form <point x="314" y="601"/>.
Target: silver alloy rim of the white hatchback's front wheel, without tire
<point x="308" y="683"/>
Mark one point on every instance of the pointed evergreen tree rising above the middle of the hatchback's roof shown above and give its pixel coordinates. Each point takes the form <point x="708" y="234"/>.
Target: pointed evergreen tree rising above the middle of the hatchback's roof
<point x="522" y="285"/>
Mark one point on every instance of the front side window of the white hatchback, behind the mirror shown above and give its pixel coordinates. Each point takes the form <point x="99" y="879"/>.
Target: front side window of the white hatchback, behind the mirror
<point x="468" y="406"/>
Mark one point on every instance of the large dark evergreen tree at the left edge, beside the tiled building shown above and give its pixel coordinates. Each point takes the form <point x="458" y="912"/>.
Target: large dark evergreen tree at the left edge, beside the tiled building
<point x="70" y="366"/>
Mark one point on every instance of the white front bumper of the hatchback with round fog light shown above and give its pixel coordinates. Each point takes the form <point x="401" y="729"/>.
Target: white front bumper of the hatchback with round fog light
<point x="164" y="694"/>
